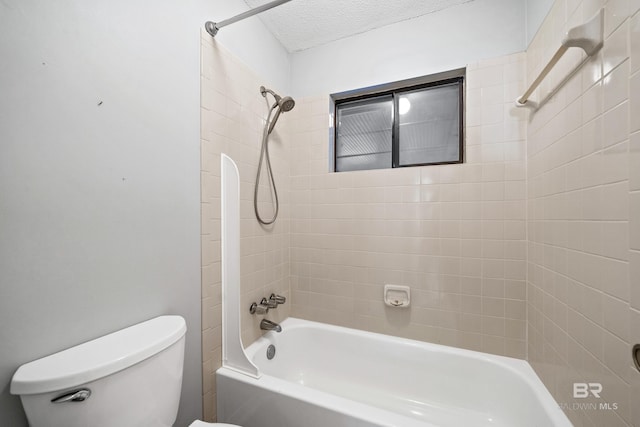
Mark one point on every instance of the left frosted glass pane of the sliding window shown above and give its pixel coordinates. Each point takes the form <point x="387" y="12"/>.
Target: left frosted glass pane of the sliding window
<point x="364" y="134"/>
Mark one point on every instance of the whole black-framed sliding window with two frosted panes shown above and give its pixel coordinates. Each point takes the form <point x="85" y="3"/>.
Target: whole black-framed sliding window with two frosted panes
<point x="410" y="123"/>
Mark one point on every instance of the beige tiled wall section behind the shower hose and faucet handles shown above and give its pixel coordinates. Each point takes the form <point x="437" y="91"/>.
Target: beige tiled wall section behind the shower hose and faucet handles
<point x="232" y="118"/>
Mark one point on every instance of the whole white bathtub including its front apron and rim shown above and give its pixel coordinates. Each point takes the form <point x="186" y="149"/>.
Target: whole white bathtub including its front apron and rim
<point x="324" y="375"/>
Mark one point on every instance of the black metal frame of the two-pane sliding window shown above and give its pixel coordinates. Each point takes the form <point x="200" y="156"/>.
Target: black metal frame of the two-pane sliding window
<point x="395" y="90"/>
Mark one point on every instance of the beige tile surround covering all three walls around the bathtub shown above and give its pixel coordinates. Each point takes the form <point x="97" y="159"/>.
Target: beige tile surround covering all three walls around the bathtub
<point x="558" y="187"/>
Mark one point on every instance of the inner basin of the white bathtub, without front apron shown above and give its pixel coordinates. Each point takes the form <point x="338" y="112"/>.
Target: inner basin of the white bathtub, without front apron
<point x="442" y="385"/>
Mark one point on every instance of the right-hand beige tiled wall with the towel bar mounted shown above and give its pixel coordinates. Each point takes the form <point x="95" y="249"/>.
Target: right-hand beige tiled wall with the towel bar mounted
<point x="584" y="215"/>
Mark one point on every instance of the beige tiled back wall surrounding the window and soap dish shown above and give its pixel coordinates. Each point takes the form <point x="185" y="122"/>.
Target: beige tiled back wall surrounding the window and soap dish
<point x="456" y="234"/>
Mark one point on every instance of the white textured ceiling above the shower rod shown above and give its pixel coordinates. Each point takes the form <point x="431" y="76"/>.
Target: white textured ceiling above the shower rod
<point x="303" y="24"/>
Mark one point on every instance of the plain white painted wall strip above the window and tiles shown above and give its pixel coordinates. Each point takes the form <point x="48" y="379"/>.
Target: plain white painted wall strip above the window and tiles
<point x="440" y="41"/>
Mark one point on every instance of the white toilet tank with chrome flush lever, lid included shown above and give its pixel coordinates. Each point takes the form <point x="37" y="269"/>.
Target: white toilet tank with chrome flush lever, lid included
<point x="130" y="378"/>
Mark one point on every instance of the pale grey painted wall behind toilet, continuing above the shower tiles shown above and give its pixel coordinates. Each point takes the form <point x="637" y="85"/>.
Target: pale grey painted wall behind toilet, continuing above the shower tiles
<point x="99" y="173"/>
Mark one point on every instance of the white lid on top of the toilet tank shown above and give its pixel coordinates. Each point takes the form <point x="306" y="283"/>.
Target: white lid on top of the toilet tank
<point x="98" y="358"/>
